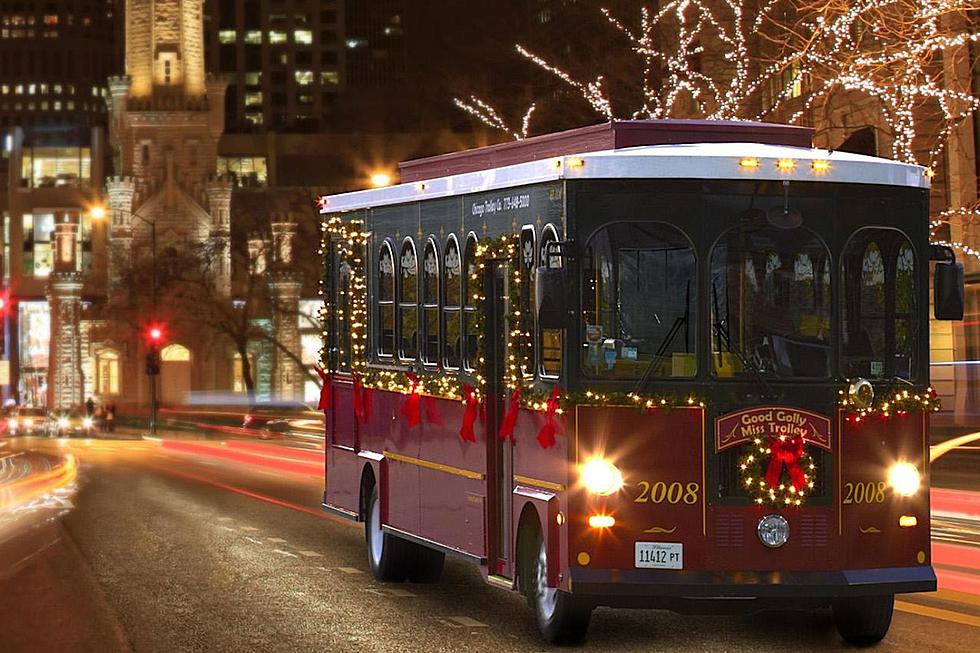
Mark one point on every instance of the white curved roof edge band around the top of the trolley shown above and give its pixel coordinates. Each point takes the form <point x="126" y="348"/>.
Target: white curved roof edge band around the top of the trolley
<point x="694" y="161"/>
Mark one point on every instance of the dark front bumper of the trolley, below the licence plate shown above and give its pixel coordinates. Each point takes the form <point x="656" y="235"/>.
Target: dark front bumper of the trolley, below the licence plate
<point x="607" y="586"/>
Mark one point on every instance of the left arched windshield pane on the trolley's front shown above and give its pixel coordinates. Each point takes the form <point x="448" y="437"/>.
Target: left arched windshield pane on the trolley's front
<point x="639" y="303"/>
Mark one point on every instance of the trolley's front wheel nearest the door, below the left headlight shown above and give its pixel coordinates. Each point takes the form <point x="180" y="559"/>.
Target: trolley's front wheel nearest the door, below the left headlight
<point x="562" y="618"/>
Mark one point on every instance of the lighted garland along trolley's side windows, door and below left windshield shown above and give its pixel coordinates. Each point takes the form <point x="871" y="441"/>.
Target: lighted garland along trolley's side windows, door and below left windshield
<point x="351" y="240"/>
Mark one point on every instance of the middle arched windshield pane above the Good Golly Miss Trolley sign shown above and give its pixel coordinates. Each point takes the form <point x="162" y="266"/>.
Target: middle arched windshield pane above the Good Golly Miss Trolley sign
<point x="770" y="303"/>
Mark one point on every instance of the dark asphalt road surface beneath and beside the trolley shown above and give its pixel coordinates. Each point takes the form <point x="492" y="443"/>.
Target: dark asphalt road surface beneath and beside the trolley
<point x="163" y="552"/>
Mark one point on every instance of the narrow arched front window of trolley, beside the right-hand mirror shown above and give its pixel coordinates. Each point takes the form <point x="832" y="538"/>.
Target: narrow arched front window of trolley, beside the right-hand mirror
<point x="880" y="308"/>
